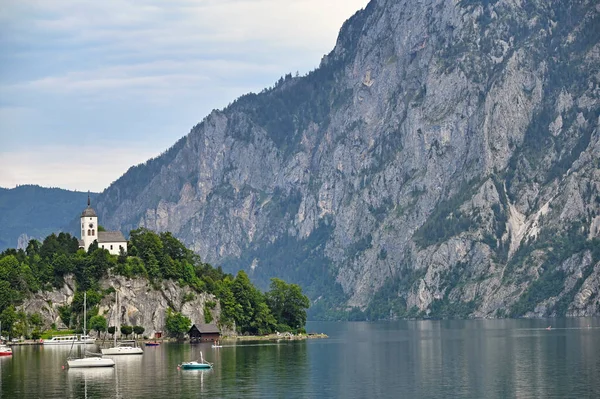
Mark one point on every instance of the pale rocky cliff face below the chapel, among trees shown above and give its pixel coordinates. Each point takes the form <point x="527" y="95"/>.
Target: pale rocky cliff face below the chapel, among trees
<point x="139" y="304"/>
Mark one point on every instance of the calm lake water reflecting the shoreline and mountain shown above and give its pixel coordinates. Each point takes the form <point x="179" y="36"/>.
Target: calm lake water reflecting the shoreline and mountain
<point x="406" y="359"/>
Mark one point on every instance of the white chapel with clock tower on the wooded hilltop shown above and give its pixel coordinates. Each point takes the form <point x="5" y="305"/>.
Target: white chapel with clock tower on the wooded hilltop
<point x="112" y="241"/>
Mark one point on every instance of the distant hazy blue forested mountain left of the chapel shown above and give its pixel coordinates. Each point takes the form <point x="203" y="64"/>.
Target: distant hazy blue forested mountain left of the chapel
<point x="31" y="211"/>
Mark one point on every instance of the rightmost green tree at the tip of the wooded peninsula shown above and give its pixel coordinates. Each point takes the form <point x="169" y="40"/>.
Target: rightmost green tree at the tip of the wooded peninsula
<point x="288" y="304"/>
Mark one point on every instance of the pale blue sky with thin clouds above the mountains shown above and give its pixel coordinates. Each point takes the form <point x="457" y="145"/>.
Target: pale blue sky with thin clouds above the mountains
<point x="90" y="88"/>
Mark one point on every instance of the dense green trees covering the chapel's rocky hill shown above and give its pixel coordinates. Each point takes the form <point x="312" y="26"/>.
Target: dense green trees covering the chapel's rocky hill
<point x="157" y="257"/>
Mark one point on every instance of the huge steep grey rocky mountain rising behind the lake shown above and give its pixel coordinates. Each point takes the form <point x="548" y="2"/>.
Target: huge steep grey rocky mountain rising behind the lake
<point x="442" y="161"/>
